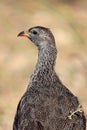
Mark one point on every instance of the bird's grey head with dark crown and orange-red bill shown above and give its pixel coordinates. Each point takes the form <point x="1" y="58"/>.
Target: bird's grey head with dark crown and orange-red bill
<point x="39" y="35"/>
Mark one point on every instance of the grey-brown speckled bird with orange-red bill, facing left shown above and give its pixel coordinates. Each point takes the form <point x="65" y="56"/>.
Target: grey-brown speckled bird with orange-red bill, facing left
<point x="47" y="104"/>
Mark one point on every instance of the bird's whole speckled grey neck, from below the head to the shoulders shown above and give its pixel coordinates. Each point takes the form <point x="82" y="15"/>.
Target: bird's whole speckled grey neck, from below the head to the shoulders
<point x="44" y="70"/>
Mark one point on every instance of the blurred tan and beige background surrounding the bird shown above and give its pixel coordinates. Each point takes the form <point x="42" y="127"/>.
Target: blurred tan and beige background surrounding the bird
<point x="68" y="21"/>
